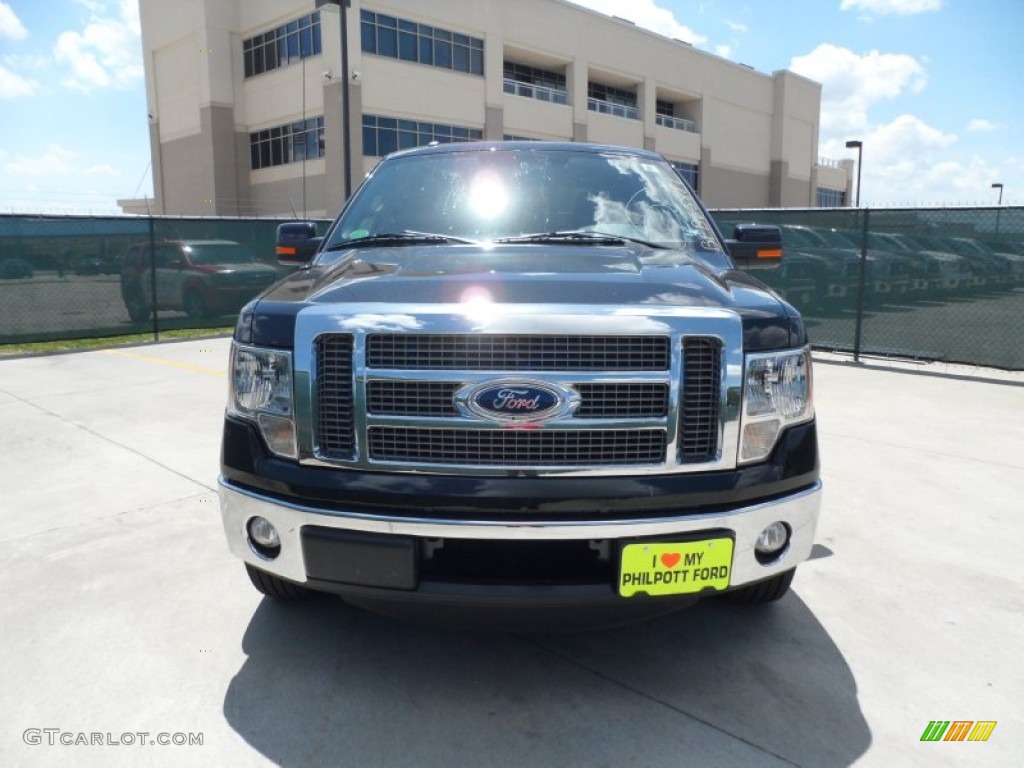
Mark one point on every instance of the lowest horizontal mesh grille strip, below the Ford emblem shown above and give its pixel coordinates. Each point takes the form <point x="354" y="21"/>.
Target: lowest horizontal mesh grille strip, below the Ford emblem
<point x="518" y="448"/>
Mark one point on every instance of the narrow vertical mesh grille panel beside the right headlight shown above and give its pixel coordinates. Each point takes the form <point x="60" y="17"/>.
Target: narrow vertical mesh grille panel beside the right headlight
<point x="699" y="412"/>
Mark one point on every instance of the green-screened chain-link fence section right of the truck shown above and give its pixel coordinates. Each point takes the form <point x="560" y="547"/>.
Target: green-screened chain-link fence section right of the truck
<point x="930" y="284"/>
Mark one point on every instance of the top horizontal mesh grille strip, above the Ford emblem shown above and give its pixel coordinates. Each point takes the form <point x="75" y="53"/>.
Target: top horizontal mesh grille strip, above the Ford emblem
<point x="518" y="353"/>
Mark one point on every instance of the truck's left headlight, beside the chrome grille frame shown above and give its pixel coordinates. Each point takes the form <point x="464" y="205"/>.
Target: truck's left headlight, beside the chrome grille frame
<point x="262" y="393"/>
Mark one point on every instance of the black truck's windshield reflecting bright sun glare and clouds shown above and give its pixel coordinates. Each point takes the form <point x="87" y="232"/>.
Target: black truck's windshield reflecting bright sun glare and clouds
<point x="497" y="194"/>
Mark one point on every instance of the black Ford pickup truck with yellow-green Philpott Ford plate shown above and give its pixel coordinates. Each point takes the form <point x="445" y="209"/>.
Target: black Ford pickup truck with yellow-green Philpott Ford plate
<point x="523" y="382"/>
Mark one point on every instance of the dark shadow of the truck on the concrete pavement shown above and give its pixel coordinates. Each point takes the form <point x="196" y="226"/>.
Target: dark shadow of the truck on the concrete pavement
<point x="328" y="685"/>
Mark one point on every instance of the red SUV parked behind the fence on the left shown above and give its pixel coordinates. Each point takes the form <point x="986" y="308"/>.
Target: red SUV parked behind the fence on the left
<point x="201" y="278"/>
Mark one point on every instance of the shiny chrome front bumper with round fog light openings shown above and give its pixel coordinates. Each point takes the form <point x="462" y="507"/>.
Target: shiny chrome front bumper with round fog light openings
<point x="799" y="511"/>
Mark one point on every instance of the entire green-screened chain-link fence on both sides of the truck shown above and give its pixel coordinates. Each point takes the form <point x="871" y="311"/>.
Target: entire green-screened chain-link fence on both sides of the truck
<point x="931" y="284"/>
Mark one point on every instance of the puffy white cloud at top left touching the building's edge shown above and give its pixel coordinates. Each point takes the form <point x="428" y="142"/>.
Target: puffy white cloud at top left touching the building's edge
<point x="107" y="54"/>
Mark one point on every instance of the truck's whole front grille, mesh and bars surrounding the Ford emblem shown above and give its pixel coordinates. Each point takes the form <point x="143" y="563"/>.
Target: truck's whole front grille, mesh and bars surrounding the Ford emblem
<point x="379" y="402"/>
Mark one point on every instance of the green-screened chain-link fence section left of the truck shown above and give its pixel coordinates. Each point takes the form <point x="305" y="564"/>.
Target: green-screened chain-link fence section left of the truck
<point x="66" y="278"/>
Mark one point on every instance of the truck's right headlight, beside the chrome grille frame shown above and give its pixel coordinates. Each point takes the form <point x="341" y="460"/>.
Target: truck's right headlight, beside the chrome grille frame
<point x="778" y="394"/>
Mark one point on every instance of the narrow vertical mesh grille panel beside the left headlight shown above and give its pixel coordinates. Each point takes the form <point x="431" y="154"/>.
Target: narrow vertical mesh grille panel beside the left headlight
<point x="335" y="423"/>
